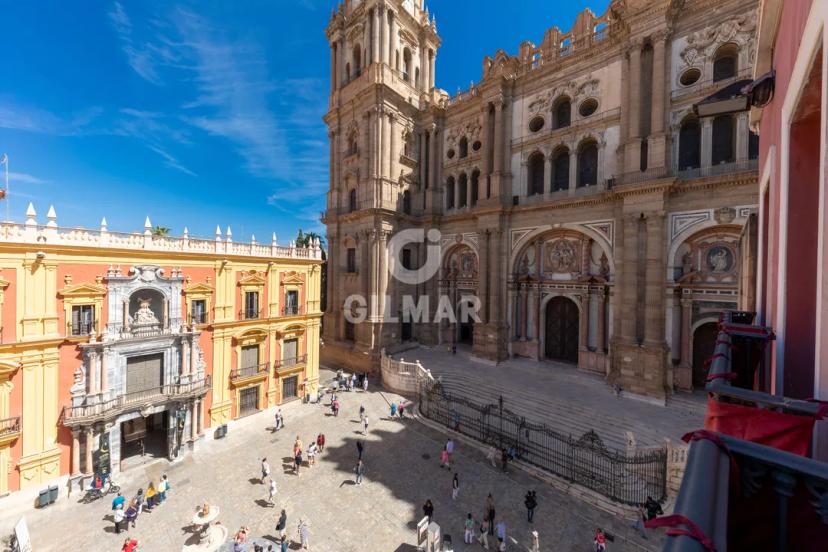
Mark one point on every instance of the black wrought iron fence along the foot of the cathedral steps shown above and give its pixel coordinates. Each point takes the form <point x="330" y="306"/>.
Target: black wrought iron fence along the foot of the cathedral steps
<point x="626" y="478"/>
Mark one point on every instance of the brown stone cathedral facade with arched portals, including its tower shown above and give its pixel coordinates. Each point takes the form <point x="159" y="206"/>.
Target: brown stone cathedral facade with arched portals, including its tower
<point x="576" y="192"/>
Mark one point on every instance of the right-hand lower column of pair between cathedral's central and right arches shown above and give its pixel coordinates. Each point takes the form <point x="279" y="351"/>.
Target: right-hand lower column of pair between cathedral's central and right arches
<point x="654" y="311"/>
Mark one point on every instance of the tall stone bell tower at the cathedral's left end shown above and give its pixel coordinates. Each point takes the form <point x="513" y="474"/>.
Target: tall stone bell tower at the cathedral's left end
<point x="382" y="73"/>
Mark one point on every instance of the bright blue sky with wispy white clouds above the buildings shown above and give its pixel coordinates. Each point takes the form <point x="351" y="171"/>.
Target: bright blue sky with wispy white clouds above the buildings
<point x="199" y="113"/>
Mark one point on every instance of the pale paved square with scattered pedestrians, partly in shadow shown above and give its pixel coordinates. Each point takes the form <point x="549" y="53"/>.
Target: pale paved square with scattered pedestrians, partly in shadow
<point x="378" y="516"/>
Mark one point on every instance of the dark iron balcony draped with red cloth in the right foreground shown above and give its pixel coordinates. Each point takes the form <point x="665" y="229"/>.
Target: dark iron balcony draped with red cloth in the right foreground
<point x="749" y="483"/>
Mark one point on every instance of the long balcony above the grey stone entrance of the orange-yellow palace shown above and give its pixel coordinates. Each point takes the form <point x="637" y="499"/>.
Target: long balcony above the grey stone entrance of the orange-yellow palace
<point x="94" y="410"/>
